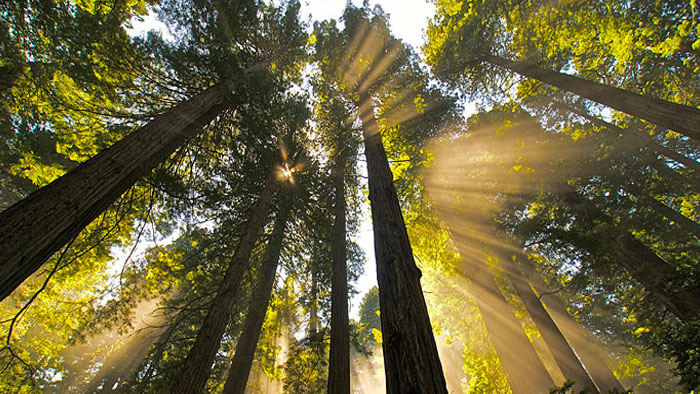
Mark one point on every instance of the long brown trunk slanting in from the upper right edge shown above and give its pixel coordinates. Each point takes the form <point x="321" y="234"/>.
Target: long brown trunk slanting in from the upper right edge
<point x="673" y="116"/>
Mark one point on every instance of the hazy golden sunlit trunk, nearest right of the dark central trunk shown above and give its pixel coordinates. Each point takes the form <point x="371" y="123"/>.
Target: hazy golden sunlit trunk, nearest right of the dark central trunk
<point x="521" y="364"/>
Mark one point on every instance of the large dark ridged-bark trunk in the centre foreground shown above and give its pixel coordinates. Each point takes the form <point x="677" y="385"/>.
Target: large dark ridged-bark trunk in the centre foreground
<point x="411" y="361"/>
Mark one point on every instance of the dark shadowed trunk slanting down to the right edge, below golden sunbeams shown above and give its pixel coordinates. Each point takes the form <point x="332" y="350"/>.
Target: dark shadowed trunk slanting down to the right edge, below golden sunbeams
<point x="658" y="277"/>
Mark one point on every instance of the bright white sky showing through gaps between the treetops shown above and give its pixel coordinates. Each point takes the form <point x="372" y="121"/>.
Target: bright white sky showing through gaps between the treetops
<point x="408" y="20"/>
